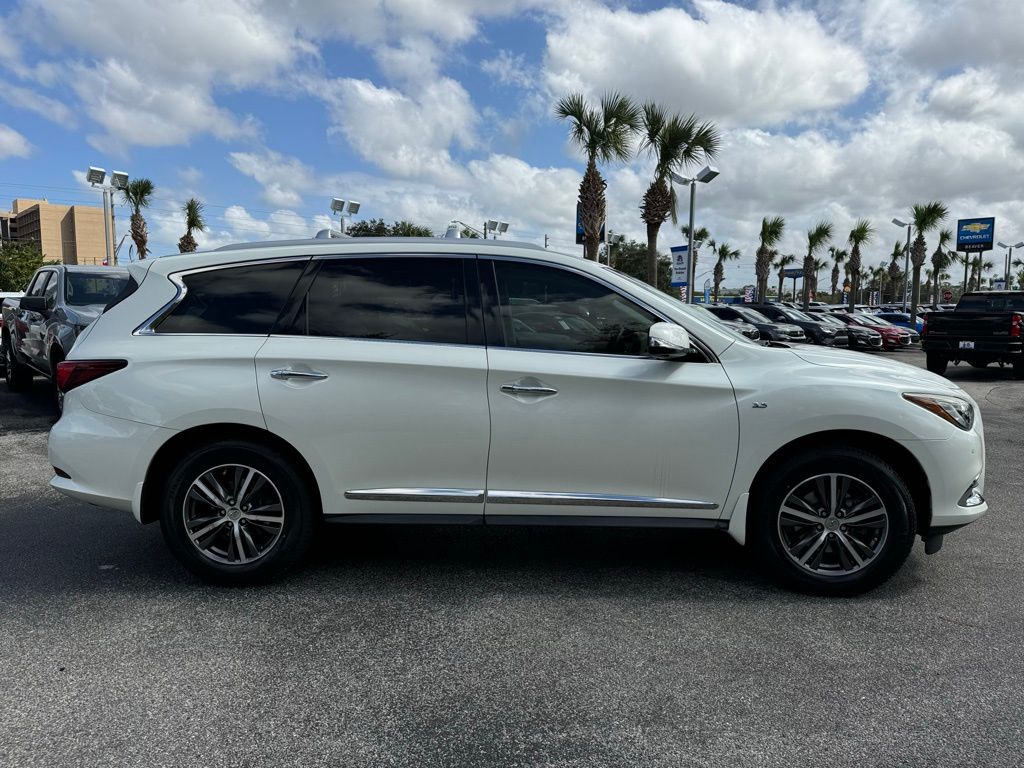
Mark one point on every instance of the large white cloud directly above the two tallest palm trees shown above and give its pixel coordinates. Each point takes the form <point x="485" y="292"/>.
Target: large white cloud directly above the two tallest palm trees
<point x="729" y="63"/>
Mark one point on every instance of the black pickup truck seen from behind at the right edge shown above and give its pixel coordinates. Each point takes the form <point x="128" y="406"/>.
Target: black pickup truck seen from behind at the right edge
<point x="986" y="327"/>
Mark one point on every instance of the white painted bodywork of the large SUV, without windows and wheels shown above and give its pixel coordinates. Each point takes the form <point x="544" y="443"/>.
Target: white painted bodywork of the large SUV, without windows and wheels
<point x="424" y="416"/>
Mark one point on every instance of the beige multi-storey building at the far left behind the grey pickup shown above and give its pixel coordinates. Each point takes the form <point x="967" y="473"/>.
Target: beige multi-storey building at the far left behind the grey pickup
<point x="71" y="235"/>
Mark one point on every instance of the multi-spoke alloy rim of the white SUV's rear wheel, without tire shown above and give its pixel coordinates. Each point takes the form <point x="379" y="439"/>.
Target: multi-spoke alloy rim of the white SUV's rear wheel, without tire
<point x="234" y="515"/>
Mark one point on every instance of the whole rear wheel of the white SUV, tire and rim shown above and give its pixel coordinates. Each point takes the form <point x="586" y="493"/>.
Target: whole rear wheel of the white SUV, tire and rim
<point x="238" y="514"/>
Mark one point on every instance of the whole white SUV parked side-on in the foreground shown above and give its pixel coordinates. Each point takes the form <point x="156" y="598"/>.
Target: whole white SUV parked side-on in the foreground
<point x="243" y="397"/>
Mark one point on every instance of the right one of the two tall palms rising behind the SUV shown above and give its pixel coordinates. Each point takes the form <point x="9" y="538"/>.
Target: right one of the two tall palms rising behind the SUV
<point x="673" y="143"/>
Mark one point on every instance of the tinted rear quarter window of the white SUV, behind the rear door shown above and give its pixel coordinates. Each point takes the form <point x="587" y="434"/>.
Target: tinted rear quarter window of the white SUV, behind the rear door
<point x="243" y="300"/>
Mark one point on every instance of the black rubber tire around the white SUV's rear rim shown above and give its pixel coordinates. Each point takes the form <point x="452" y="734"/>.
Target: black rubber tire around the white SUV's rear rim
<point x="296" y="534"/>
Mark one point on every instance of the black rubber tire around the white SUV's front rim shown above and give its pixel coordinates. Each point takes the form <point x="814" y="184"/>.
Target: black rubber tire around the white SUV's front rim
<point x="893" y="548"/>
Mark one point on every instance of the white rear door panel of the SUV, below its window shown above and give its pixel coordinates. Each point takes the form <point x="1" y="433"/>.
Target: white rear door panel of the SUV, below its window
<point x="390" y="415"/>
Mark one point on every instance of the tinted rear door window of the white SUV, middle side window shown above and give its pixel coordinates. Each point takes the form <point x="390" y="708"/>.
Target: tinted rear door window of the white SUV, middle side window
<point x="416" y="298"/>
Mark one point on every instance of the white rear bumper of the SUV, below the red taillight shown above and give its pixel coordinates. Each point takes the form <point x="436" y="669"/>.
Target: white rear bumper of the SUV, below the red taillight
<point x="105" y="458"/>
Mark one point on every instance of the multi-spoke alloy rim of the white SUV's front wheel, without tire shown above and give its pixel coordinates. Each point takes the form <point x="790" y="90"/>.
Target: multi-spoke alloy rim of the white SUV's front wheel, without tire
<point x="833" y="525"/>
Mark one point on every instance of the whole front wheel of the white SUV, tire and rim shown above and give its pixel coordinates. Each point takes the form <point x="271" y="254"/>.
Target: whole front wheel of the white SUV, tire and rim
<point x="838" y="522"/>
